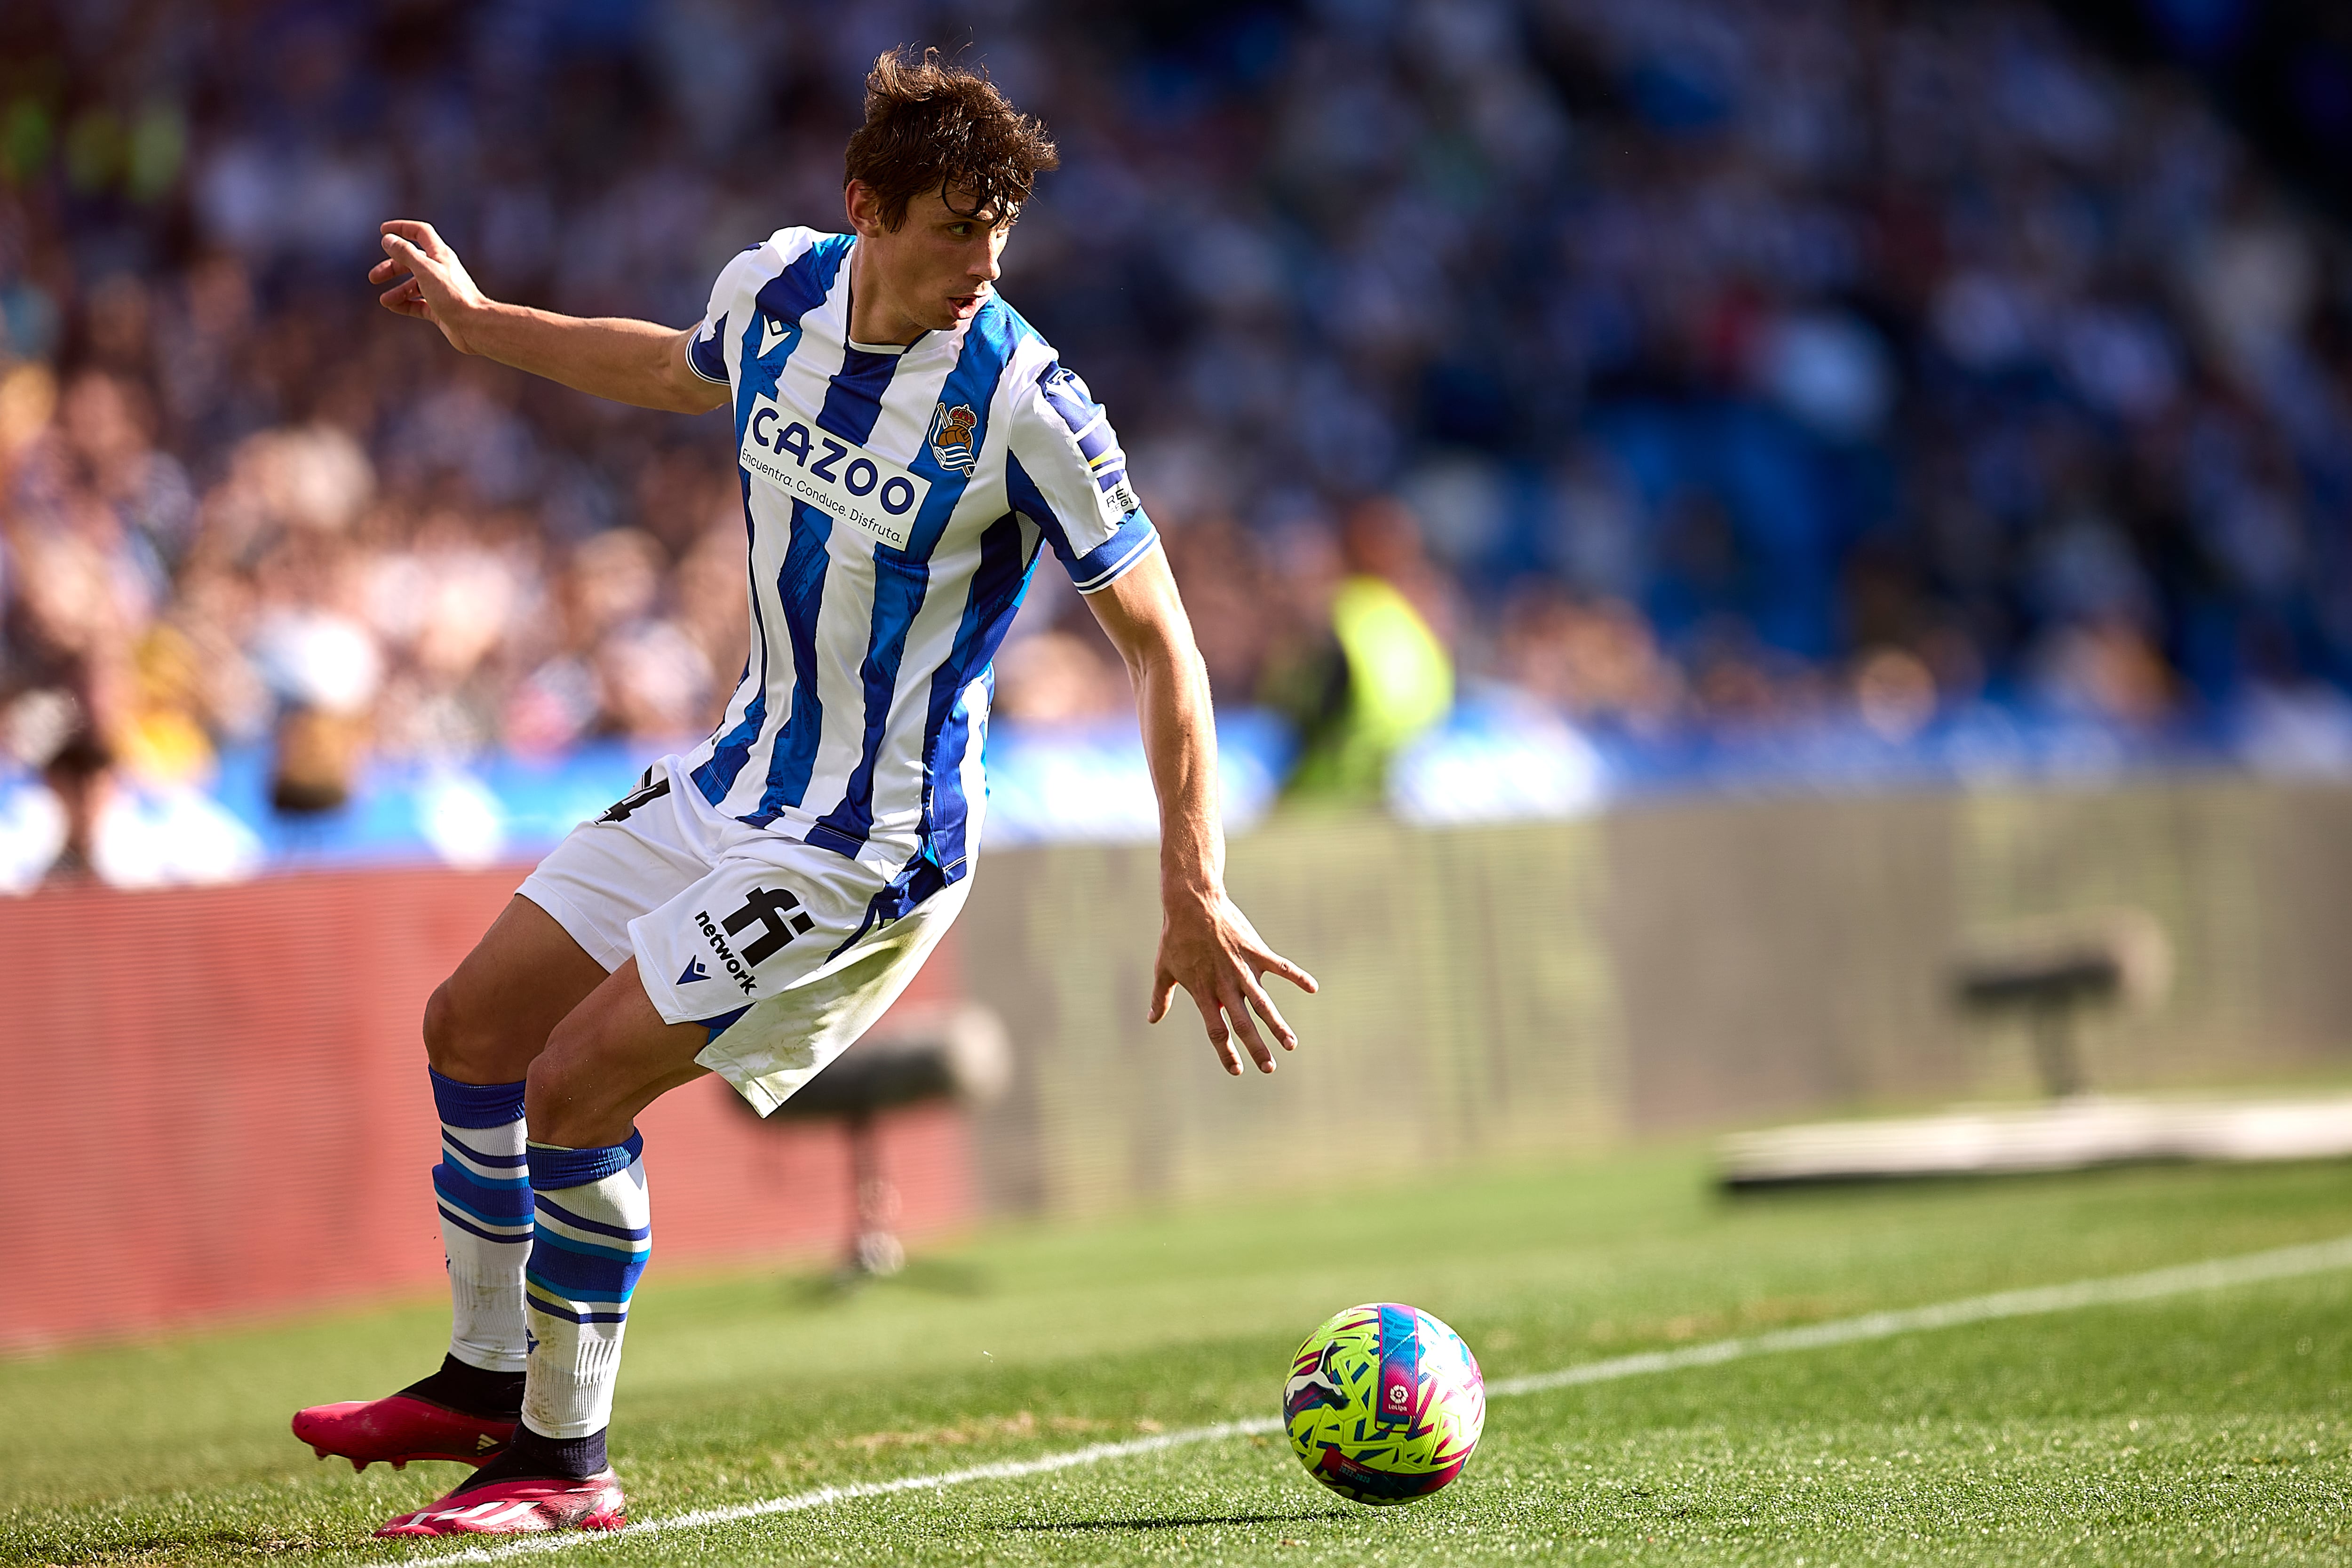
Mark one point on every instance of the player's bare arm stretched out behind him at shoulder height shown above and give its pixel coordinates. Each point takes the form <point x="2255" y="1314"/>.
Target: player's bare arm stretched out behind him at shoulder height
<point x="608" y="359"/>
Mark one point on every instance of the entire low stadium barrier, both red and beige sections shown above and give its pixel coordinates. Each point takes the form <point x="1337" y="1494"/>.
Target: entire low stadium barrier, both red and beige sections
<point x="220" y="1108"/>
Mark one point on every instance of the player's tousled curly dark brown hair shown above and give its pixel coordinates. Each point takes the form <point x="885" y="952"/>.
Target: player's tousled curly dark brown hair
<point x="935" y="126"/>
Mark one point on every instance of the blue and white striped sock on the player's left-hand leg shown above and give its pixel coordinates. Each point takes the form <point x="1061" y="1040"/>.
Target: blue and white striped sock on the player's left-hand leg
<point x="486" y="1205"/>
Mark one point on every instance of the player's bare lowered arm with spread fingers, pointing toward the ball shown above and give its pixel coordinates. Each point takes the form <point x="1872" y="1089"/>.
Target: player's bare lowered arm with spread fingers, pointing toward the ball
<point x="1208" y="946"/>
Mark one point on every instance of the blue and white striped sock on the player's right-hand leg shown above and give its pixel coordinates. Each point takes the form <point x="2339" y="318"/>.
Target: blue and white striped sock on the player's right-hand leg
<point x="594" y="1235"/>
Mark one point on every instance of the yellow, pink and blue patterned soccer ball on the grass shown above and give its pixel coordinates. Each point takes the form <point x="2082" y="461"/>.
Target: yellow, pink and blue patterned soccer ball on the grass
<point x="1384" y="1405"/>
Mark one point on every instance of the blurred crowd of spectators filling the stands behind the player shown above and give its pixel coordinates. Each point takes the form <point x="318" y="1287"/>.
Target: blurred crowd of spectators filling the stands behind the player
<point x="1688" y="366"/>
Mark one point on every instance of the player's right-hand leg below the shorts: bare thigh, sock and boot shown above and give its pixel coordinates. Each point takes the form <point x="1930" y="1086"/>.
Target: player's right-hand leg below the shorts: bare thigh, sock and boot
<point x="606" y="1061"/>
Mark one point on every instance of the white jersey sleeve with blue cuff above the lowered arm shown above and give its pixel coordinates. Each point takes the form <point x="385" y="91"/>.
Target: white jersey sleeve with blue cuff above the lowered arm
<point x="1069" y="476"/>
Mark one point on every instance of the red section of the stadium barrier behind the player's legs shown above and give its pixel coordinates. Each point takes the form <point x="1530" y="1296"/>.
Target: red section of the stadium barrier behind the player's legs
<point x="218" y="1108"/>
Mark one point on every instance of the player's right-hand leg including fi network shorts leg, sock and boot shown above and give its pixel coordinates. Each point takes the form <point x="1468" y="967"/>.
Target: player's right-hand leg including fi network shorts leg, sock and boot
<point x="817" y="956"/>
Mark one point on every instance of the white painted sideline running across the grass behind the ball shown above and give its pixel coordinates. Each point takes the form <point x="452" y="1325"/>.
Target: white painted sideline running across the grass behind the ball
<point x="2156" y="1285"/>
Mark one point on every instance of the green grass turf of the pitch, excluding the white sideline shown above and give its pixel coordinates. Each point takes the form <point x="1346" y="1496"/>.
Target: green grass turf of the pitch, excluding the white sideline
<point x="2184" y="1430"/>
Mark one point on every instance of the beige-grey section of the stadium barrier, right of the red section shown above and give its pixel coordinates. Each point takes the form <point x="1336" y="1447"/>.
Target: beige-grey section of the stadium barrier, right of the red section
<point x="1549" y="989"/>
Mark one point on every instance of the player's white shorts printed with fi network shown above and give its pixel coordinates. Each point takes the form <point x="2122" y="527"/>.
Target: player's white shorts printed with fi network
<point x="770" y="944"/>
